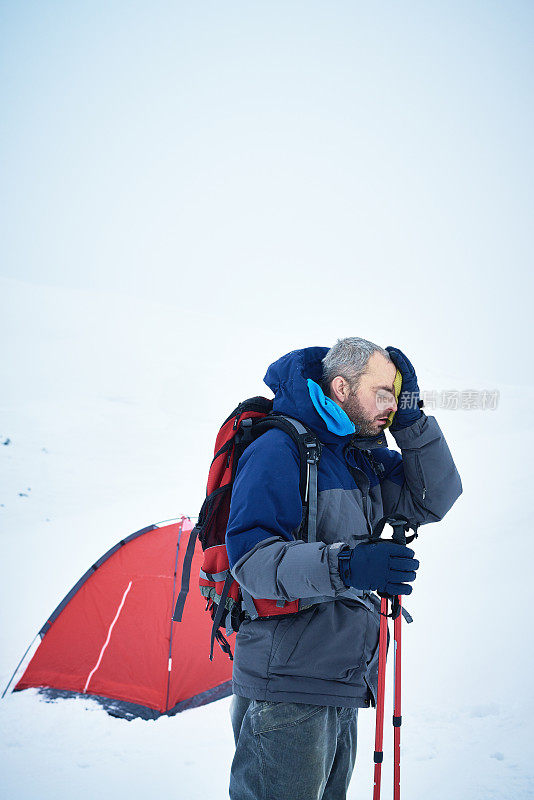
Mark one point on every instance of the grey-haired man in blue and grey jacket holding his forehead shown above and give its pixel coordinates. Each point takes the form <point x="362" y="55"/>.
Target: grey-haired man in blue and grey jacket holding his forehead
<point x="299" y="679"/>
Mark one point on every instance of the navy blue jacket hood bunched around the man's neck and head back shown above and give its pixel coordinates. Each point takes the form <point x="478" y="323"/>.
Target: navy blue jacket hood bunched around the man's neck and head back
<point x="287" y="379"/>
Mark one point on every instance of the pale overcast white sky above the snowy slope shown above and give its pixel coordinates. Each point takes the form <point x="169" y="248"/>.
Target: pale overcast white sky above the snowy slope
<point x="322" y="168"/>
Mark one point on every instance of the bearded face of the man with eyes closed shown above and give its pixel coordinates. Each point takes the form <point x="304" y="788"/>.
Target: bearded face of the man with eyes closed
<point x="373" y="400"/>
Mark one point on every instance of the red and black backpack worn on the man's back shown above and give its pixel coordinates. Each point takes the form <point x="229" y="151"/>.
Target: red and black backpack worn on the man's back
<point x="227" y="602"/>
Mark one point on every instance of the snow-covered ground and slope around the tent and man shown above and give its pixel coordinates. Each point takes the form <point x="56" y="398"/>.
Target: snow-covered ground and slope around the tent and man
<point x="110" y="407"/>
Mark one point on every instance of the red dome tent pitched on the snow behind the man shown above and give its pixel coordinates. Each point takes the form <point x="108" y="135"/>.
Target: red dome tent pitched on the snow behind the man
<point x="112" y="637"/>
